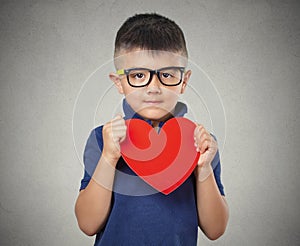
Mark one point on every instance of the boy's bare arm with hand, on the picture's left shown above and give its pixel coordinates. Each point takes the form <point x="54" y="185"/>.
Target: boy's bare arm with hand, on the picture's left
<point x="93" y="203"/>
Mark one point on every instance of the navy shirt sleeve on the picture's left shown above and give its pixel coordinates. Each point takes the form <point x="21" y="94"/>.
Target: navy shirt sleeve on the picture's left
<point x="91" y="156"/>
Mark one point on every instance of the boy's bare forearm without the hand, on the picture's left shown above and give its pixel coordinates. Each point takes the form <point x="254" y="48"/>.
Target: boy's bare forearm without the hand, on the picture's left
<point x="93" y="204"/>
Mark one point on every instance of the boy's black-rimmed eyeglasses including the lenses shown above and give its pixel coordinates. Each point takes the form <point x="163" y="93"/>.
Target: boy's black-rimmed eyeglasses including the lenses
<point x="140" y="77"/>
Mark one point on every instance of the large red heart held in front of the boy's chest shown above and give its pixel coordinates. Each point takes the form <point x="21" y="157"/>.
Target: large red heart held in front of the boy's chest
<point x="165" y="159"/>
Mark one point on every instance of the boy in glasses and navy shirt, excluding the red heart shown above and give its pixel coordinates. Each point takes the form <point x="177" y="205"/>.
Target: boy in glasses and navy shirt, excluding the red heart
<point x="114" y="203"/>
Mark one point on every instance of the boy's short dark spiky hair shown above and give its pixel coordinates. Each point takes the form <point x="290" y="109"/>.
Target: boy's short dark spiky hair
<point x="150" y="32"/>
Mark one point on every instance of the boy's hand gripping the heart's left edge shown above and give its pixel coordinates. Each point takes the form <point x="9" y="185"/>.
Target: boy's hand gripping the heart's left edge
<point x="114" y="132"/>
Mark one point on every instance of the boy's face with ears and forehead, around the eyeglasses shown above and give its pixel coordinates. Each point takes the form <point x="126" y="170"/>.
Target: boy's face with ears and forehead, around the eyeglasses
<point x="154" y="101"/>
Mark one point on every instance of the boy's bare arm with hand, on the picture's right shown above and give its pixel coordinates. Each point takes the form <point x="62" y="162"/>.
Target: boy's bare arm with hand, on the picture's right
<point x="212" y="207"/>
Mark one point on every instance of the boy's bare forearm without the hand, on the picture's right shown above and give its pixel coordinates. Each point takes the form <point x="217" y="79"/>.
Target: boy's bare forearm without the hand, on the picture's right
<point x="212" y="208"/>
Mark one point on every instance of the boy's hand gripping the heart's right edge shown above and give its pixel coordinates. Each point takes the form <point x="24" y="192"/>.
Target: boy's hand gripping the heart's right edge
<point x="207" y="146"/>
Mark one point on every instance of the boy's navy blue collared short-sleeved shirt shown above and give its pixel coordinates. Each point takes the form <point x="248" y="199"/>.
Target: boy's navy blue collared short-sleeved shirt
<point x="140" y="215"/>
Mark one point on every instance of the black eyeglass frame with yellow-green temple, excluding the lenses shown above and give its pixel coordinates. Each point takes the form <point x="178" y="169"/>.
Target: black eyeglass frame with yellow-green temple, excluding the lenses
<point x="152" y="72"/>
